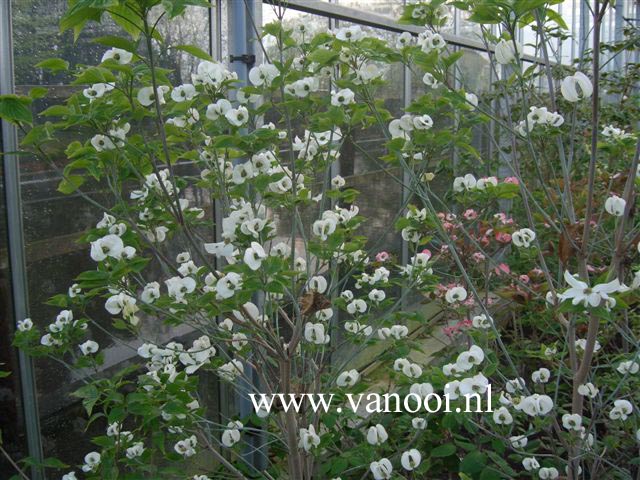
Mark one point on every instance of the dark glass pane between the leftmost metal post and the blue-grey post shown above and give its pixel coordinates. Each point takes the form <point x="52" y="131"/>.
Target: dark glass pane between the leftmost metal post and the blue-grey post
<point x="53" y="222"/>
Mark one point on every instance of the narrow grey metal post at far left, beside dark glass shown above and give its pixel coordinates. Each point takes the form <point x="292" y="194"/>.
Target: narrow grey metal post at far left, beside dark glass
<point x="19" y="286"/>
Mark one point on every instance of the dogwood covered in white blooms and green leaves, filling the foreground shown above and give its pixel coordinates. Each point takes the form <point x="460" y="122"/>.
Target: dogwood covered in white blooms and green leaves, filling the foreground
<point x="529" y="254"/>
